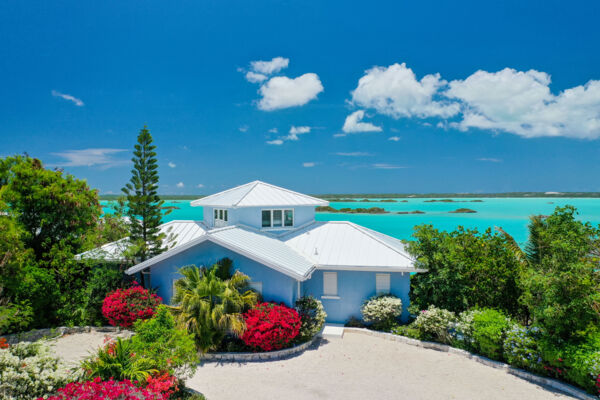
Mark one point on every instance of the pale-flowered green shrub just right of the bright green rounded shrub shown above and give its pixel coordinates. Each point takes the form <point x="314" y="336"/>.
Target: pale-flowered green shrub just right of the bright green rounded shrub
<point x="521" y="348"/>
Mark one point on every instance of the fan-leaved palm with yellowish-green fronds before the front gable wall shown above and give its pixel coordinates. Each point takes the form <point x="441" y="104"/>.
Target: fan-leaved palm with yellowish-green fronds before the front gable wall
<point x="210" y="307"/>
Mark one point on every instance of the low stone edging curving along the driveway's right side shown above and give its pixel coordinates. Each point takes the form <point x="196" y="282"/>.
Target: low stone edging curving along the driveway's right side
<point x="540" y="380"/>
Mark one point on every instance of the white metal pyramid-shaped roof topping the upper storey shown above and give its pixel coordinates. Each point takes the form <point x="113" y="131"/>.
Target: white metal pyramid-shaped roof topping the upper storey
<point x="258" y="194"/>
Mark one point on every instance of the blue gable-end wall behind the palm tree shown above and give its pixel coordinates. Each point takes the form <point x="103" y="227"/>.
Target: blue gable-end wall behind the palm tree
<point x="276" y="286"/>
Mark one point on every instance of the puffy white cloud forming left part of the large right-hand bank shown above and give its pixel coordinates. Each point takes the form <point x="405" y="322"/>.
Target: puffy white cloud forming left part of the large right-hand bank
<point x="396" y="92"/>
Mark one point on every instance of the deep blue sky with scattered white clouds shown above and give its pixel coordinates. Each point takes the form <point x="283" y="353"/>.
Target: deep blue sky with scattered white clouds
<point x="394" y="96"/>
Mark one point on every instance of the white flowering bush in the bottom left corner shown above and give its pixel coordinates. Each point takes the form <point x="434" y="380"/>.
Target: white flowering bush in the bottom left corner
<point x="29" y="371"/>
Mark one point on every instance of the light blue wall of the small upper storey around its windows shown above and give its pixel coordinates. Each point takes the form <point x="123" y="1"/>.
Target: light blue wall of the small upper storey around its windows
<point x="252" y="216"/>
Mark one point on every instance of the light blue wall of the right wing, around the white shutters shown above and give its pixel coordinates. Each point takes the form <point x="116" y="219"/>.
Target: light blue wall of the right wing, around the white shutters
<point x="354" y="287"/>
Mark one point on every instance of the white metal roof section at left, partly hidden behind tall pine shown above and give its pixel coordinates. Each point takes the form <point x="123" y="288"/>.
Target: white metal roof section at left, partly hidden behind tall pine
<point x="177" y="233"/>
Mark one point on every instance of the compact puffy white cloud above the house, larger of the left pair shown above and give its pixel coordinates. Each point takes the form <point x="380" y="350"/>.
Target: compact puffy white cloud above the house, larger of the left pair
<point x="283" y="92"/>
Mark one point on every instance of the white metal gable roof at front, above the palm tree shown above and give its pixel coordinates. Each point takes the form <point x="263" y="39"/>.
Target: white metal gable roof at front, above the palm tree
<point x="248" y="242"/>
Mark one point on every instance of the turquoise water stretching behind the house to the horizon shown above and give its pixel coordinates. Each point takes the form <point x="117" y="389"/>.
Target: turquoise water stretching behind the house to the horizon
<point x="509" y="213"/>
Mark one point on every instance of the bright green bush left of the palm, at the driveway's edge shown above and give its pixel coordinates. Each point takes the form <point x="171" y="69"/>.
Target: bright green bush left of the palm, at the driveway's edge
<point x="171" y="348"/>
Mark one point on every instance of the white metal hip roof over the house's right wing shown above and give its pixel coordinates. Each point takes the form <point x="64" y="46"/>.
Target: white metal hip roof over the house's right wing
<point x="344" y="245"/>
